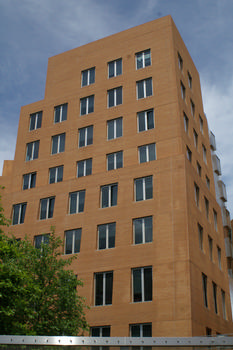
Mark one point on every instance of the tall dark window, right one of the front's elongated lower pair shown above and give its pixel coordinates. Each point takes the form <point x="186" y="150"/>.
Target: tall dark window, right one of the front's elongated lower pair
<point x="142" y="284"/>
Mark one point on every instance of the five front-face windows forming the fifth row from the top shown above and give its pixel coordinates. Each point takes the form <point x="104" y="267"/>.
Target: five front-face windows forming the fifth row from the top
<point x="143" y="190"/>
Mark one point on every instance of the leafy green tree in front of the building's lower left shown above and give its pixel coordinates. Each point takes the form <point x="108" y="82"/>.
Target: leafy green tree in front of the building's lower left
<point x="38" y="292"/>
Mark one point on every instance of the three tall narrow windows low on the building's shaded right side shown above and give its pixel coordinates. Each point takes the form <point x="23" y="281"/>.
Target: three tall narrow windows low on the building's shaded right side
<point x="215" y="298"/>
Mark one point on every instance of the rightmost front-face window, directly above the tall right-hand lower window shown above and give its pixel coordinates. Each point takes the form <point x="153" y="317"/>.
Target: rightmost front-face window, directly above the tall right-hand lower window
<point x="143" y="230"/>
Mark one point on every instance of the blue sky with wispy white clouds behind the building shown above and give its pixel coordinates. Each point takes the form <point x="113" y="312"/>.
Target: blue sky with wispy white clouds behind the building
<point x="31" y="31"/>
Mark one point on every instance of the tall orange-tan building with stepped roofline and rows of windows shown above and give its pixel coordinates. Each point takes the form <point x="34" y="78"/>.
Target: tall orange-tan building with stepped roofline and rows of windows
<point x="117" y="156"/>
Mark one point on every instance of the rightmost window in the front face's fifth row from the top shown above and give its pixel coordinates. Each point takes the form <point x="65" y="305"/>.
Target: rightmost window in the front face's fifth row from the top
<point x="143" y="188"/>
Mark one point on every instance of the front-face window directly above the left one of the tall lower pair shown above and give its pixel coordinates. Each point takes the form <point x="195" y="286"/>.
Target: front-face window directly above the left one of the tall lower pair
<point x="106" y="236"/>
